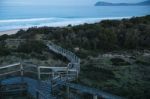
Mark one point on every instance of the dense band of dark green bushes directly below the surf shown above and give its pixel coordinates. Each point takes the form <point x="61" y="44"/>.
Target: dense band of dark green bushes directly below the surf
<point x="107" y="35"/>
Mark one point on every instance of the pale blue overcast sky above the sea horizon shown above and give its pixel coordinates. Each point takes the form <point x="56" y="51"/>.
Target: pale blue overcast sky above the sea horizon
<point x="59" y="2"/>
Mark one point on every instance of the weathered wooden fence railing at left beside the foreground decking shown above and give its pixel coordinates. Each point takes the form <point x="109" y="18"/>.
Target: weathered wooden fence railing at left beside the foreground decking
<point x="21" y="68"/>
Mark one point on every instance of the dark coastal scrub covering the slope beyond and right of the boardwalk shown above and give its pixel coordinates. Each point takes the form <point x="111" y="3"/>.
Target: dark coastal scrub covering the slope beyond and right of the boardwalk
<point x="115" y="54"/>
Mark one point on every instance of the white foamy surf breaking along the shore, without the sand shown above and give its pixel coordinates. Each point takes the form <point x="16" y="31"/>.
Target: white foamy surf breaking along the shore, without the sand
<point x="52" y="22"/>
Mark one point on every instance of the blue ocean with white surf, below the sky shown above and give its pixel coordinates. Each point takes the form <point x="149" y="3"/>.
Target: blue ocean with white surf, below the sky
<point x="15" y="17"/>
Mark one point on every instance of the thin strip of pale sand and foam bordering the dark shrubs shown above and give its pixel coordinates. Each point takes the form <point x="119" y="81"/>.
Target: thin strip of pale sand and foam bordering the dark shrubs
<point x="62" y="24"/>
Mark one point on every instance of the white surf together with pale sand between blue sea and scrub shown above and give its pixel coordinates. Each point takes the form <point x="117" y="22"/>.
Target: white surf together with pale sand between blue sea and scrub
<point x="47" y="22"/>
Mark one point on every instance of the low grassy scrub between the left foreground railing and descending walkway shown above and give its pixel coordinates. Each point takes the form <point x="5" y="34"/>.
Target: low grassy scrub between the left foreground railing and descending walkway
<point x="34" y="51"/>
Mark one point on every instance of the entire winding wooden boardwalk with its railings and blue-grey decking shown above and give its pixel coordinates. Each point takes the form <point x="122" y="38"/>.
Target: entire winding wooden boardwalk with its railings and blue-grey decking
<point x="59" y="76"/>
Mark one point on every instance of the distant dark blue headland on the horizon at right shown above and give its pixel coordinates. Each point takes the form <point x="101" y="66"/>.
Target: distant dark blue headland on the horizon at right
<point x="122" y="4"/>
